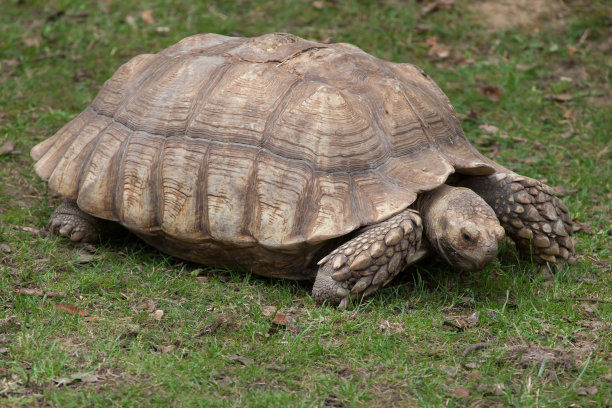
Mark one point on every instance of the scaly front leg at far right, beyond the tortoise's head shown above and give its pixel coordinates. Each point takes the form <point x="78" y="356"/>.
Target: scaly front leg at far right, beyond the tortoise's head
<point x="537" y="221"/>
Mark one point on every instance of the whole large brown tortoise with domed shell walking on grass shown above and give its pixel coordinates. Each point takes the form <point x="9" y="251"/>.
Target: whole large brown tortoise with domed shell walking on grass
<point x="291" y="159"/>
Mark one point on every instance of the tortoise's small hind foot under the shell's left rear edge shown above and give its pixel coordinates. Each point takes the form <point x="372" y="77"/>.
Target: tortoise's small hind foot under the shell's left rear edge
<point x="68" y="219"/>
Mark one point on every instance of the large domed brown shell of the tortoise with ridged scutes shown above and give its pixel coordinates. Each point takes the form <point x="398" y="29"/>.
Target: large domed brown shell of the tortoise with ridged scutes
<point x="271" y="141"/>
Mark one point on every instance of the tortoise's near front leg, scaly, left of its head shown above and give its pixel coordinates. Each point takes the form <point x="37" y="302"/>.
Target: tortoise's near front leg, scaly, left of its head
<point x="368" y="261"/>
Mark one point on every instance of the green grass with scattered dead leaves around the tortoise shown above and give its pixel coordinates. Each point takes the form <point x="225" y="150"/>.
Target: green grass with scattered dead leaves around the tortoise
<point x="78" y="323"/>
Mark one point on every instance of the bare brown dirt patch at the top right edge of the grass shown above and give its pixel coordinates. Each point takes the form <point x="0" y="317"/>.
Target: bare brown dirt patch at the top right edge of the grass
<point x="504" y="14"/>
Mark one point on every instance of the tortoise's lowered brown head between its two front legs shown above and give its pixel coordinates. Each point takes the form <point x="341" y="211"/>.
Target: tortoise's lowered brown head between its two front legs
<point x="460" y="226"/>
